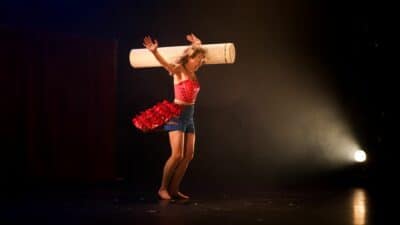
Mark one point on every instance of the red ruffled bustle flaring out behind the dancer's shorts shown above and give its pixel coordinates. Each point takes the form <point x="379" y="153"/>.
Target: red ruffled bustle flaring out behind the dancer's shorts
<point x="156" y="116"/>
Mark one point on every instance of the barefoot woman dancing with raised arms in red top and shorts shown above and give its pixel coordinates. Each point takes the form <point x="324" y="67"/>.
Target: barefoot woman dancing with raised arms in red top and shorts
<point x="178" y="121"/>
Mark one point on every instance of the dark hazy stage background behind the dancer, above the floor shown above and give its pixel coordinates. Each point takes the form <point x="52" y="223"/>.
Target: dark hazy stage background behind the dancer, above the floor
<point x="290" y="55"/>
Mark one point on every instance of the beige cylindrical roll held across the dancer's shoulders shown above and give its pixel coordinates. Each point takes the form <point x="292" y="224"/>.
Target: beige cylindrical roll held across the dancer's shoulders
<point x="221" y="53"/>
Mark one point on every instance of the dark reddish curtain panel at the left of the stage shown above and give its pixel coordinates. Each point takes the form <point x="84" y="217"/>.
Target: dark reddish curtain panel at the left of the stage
<point x="58" y="106"/>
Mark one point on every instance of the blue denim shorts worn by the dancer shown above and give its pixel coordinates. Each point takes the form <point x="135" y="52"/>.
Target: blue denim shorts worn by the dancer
<point x="184" y="122"/>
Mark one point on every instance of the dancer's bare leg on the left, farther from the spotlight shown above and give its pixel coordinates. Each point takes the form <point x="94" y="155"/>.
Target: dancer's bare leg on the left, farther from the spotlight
<point x="176" y="139"/>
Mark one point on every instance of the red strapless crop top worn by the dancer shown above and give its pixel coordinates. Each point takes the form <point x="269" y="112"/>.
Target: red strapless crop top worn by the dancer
<point x="187" y="90"/>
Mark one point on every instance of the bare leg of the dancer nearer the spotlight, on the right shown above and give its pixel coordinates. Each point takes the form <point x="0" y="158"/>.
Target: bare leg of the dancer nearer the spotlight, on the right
<point x="182" y="166"/>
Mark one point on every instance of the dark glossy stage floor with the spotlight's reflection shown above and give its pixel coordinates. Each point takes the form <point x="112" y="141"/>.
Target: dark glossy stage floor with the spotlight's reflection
<point x="336" y="206"/>
